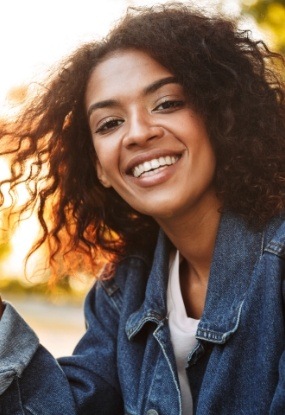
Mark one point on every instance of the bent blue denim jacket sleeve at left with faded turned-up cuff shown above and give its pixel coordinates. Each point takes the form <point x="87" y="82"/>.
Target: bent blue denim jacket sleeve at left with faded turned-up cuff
<point x="33" y="382"/>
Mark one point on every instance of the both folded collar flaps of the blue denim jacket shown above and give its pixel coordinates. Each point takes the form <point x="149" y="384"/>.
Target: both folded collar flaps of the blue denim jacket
<point x="237" y="249"/>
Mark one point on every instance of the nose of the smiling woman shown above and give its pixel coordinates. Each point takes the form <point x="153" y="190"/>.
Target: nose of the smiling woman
<point x="141" y="129"/>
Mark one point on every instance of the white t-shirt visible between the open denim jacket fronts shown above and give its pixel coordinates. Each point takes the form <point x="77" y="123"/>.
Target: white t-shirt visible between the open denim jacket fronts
<point x="182" y="331"/>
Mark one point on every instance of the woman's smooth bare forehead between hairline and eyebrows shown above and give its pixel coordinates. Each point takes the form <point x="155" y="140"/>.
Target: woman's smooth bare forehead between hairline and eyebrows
<point x="123" y="72"/>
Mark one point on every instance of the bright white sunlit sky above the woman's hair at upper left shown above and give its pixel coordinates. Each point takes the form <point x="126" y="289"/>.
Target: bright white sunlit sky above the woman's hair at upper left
<point x="38" y="34"/>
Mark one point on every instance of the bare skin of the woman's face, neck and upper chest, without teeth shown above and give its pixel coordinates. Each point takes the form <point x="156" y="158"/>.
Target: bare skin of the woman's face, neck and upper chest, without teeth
<point x="138" y="112"/>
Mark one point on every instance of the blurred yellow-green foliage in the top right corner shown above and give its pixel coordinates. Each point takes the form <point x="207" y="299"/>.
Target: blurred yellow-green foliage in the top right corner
<point x="270" y="16"/>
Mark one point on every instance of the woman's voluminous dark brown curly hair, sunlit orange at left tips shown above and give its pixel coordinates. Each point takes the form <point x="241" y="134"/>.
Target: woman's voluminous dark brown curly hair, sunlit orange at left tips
<point x="229" y="78"/>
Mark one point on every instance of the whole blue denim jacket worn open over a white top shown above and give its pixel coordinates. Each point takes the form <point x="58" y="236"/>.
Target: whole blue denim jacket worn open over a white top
<point x="125" y="365"/>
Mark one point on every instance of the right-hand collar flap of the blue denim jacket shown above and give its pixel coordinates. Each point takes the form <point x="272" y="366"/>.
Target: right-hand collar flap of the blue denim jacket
<point x="236" y="251"/>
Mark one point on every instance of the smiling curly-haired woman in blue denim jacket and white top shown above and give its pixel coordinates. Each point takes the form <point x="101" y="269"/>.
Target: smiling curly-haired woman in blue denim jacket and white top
<point x="164" y="146"/>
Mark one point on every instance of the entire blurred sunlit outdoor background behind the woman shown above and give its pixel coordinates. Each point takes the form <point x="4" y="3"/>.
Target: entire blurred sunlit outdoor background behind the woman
<point x="35" y="34"/>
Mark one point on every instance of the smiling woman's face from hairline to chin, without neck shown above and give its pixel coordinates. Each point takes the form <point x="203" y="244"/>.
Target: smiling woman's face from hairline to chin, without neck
<point x="152" y="148"/>
